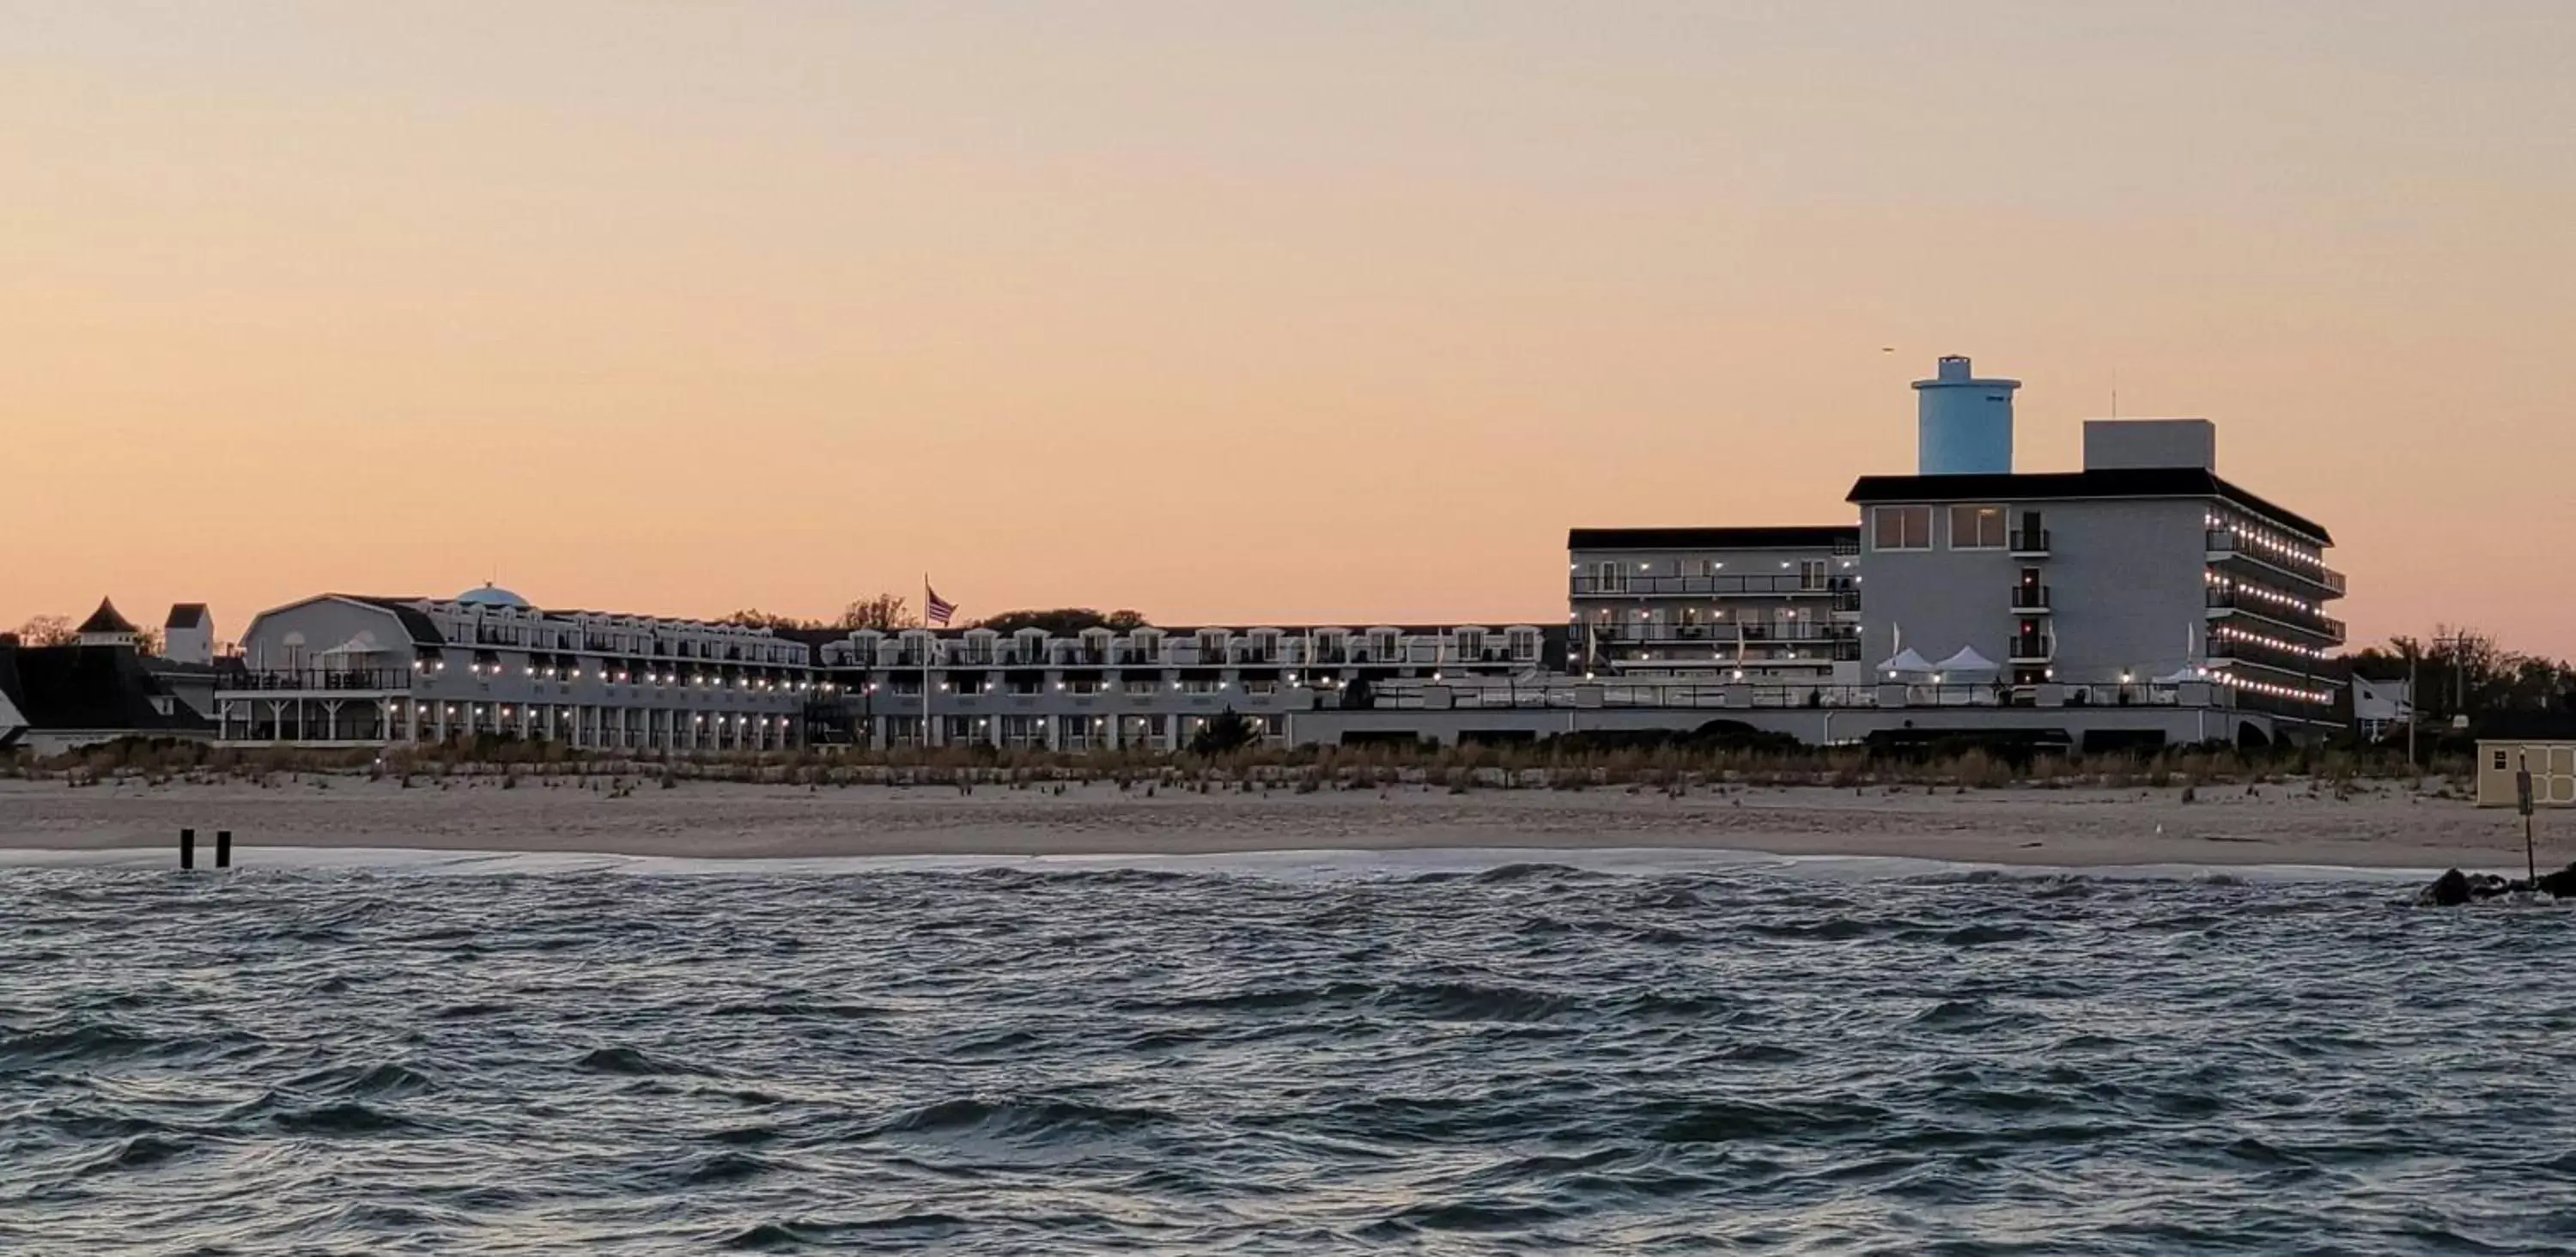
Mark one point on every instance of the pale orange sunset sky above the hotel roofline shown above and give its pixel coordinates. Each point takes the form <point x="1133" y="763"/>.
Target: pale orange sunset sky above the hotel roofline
<point x="1243" y="313"/>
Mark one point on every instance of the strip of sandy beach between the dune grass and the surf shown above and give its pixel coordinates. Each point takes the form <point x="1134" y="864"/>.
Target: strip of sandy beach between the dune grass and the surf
<point x="2083" y="828"/>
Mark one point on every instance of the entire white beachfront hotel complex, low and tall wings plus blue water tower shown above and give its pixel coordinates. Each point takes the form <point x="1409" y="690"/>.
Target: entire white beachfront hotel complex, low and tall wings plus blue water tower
<point x="2134" y="601"/>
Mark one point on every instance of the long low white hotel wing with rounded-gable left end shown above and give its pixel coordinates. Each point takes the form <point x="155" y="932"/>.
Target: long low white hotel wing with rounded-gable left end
<point x="393" y="671"/>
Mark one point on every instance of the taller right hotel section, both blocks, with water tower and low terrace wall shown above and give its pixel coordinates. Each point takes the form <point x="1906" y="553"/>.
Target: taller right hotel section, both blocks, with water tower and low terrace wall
<point x="2134" y="601"/>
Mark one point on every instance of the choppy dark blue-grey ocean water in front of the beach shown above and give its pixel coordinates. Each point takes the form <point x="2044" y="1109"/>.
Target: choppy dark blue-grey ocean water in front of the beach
<point x="1274" y="1057"/>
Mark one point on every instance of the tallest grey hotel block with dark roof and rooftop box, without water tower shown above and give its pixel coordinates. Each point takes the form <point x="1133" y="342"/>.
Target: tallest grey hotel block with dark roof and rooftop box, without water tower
<point x="2142" y="568"/>
